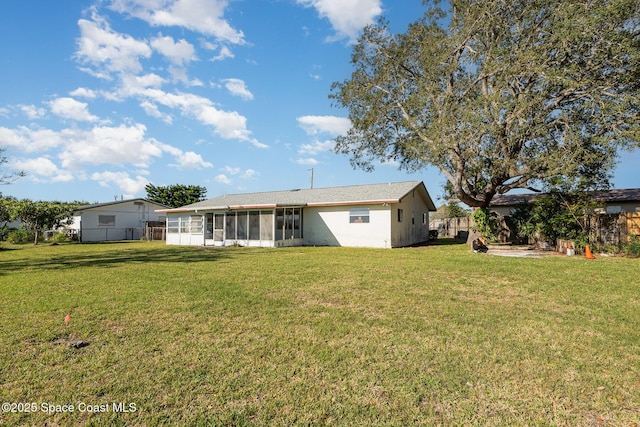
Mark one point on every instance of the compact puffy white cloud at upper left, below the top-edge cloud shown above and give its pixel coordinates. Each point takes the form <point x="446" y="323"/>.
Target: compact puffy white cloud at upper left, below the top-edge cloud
<point x="107" y="50"/>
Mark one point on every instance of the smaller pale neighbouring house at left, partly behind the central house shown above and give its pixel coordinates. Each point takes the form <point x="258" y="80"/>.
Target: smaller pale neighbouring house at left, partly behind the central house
<point x="117" y="220"/>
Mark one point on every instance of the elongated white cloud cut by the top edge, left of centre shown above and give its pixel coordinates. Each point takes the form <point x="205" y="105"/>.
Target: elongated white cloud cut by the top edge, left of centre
<point x="203" y="16"/>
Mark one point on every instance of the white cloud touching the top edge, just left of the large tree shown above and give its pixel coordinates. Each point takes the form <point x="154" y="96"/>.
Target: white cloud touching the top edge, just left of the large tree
<point x="347" y="17"/>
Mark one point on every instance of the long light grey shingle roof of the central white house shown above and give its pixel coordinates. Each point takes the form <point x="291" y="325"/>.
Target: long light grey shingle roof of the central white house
<point x="391" y="192"/>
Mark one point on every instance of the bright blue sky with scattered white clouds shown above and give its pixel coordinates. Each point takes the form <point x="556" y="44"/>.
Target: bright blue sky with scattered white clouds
<point x="100" y="97"/>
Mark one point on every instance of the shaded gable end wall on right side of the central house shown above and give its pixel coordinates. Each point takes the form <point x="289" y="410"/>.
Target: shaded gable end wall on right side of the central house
<point x="412" y="225"/>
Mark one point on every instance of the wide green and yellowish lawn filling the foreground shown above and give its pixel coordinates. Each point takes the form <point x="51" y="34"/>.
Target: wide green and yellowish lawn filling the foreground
<point x="317" y="336"/>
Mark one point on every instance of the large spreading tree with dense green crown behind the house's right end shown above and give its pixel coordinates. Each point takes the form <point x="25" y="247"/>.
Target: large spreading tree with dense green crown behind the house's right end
<point x="498" y="94"/>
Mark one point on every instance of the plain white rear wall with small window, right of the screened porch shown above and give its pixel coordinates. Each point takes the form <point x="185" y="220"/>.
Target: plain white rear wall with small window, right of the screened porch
<point x="331" y="226"/>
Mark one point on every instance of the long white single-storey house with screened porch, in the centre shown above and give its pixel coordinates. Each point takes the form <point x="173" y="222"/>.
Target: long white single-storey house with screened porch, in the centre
<point x="378" y="216"/>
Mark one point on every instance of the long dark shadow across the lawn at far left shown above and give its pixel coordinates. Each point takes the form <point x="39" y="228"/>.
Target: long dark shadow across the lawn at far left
<point x="112" y="254"/>
